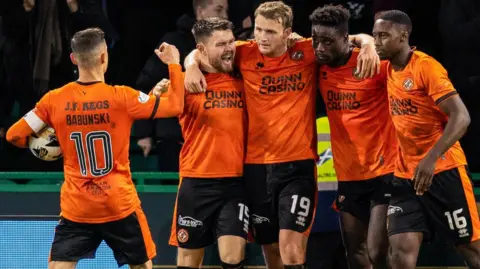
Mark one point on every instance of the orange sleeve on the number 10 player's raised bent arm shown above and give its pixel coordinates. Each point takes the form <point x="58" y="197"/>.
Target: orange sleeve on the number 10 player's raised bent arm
<point x="142" y="106"/>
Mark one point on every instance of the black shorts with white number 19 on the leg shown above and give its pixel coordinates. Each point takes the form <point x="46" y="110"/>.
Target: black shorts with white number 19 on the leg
<point x="281" y="196"/>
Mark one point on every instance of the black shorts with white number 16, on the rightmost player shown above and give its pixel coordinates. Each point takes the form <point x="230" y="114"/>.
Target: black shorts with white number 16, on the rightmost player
<point x="447" y="209"/>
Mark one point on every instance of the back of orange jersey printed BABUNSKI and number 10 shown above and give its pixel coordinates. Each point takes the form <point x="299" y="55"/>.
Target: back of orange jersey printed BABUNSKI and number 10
<point x="93" y="123"/>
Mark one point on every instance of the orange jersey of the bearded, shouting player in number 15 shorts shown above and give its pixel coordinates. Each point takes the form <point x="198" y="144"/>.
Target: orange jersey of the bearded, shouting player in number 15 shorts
<point x="214" y="129"/>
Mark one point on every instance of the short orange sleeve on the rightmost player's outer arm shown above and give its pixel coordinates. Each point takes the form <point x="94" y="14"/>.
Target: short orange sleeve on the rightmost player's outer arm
<point x="436" y="81"/>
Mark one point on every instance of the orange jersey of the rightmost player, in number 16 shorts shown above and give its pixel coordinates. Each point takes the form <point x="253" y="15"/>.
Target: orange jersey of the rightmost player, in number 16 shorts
<point x="414" y="95"/>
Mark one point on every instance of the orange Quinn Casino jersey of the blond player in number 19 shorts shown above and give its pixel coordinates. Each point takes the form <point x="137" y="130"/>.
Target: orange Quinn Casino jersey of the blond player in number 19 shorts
<point x="280" y="97"/>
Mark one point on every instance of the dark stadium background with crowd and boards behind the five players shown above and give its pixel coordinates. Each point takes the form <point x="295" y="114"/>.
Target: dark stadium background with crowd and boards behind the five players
<point x="29" y="188"/>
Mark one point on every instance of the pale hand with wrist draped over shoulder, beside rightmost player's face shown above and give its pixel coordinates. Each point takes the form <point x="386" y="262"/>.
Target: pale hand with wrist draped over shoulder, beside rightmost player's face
<point x="368" y="64"/>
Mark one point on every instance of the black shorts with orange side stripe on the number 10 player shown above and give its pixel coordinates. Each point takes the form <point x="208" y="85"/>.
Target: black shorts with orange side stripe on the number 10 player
<point x="129" y="238"/>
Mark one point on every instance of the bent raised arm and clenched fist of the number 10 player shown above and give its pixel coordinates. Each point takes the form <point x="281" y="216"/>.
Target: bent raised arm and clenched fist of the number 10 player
<point x="143" y="106"/>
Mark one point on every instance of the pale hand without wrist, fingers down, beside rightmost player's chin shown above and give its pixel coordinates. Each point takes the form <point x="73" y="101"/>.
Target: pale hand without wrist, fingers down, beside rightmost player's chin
<point x="368" y="62"/>
